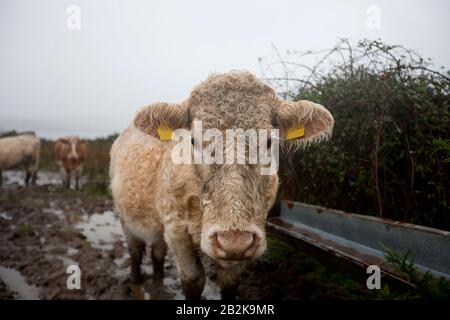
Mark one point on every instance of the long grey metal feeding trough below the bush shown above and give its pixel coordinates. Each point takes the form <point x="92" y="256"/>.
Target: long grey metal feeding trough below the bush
<point x="361" y="240"/>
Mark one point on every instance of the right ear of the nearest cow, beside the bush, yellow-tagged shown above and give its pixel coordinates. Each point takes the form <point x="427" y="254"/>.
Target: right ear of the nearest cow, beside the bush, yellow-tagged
<point x="303" y="122"/>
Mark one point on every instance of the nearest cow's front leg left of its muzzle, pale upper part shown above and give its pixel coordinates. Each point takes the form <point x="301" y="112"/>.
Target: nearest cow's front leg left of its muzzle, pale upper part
<point x="188" y="264"/>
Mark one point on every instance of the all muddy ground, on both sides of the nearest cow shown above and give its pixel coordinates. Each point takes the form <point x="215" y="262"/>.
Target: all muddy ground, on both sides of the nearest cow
<point x="46" y="228"/>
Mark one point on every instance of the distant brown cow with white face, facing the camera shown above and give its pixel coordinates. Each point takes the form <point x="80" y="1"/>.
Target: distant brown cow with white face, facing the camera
<point x="70" y="154"/>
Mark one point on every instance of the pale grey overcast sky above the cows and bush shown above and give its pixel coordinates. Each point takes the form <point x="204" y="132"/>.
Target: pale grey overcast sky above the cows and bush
<point x="58" y="80"/>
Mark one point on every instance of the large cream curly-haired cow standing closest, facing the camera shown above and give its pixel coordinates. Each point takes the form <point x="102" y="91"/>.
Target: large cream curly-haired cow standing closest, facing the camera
<point x="217" y="209"/>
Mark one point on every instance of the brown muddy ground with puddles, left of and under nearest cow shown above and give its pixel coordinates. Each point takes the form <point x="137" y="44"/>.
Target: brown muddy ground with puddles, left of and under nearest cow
<point x="45" y="228"/>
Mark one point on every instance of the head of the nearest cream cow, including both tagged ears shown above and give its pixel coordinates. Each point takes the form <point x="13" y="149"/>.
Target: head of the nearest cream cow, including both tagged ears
<point x="235" y="198"/>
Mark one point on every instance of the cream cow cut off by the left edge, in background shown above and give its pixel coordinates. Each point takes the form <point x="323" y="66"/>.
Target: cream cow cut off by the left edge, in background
<point x="18" y="150"/>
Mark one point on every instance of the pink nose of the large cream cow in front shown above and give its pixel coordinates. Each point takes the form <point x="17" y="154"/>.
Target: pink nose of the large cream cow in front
<point x="235" y="245"/>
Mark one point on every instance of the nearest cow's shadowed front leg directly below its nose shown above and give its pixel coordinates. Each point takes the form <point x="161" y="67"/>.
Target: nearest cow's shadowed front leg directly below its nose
<point x="228" y="275"/>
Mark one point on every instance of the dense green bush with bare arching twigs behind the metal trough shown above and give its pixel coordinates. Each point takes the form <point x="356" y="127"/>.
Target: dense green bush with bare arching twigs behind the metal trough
<point x="389" y="154"/>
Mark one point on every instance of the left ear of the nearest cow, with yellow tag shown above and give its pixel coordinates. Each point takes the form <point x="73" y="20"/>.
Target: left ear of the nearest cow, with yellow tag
<point x="161" y="119"/>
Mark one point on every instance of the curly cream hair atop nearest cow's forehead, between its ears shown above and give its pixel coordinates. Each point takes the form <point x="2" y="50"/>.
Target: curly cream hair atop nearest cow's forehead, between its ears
<point x="232" y="100"/>
